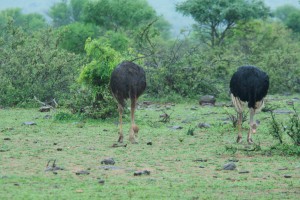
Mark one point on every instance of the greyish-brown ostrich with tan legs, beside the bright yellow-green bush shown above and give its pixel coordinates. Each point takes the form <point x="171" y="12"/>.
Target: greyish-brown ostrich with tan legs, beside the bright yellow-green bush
<point x="128" y="80"/>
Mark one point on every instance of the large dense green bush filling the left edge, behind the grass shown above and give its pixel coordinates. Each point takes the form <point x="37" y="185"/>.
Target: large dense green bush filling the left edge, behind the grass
<point x="33" y="65"/>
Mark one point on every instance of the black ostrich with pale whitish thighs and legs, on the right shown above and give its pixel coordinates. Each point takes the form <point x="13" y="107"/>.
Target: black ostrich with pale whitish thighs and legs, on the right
<point x="248" y="84"/>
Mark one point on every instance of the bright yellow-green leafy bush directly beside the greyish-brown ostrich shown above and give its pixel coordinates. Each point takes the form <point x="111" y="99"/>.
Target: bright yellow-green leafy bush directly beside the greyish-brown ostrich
<point x="96" y="76"/>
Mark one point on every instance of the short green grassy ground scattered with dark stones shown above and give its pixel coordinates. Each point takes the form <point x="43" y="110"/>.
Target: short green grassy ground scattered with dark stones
<point x="181" y="165"/>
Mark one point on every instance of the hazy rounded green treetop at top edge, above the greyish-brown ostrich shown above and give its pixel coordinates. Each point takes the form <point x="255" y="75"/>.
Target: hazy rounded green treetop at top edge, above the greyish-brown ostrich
<point x="119" y="14"/>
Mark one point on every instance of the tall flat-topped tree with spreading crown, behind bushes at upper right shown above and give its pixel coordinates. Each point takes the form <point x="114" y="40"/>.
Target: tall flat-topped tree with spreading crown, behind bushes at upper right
<point x="215" y="18"/>
